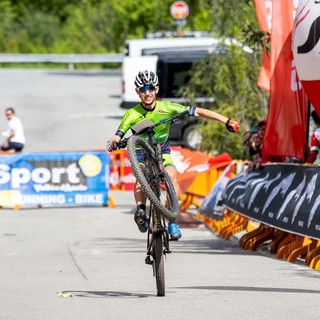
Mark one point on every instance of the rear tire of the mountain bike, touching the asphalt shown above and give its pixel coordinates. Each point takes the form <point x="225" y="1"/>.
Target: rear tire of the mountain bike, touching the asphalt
<point x="159" y="264"/>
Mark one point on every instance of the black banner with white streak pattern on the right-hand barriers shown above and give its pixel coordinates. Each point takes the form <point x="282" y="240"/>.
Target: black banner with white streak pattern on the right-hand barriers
<point x="284" y="196"/>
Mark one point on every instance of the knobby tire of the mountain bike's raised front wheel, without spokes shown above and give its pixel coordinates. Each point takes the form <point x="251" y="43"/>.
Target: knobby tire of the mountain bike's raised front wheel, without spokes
<point x="172" y="211"/>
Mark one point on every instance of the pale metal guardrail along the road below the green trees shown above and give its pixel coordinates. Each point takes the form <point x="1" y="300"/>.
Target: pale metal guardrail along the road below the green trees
<point x="70" y="59"/>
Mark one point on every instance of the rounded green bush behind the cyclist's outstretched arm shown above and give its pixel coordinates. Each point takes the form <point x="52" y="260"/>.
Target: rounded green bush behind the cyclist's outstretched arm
<point x="230" y="76"/>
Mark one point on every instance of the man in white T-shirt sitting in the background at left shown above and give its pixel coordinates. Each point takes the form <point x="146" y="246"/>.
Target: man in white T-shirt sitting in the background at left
<point x="15" y="139"/>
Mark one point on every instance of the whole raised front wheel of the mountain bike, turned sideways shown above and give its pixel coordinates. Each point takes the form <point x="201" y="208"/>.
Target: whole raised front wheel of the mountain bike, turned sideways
<point x="155" y="183"/>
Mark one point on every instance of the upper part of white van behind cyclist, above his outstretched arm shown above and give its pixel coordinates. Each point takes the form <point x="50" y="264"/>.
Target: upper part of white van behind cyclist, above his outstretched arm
<point x="170" y="58"/>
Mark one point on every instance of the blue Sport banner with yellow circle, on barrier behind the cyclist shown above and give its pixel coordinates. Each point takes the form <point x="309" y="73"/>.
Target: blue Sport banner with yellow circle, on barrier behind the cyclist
<point x="54" y="179"/>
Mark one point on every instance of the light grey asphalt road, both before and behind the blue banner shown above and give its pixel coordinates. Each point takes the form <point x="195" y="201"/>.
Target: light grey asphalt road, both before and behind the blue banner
<point x="94" y="257"/>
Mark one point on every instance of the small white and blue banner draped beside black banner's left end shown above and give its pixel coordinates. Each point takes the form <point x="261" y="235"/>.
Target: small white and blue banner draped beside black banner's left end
<point x="211" y="205"/>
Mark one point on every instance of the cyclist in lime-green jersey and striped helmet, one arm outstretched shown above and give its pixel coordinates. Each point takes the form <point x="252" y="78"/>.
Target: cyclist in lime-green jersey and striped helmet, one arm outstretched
<point x="147" y="87"/>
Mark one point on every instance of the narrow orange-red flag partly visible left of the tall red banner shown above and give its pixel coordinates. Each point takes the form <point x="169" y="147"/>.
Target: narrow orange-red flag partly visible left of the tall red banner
<point x="264" y="15"/>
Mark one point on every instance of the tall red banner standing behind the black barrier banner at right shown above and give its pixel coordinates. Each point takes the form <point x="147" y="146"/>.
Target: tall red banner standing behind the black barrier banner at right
<point x="285" y="134"/>
